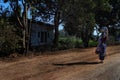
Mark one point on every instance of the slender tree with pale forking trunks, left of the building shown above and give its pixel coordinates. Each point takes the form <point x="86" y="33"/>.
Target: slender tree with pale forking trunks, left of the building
<point x="21" y="19"/>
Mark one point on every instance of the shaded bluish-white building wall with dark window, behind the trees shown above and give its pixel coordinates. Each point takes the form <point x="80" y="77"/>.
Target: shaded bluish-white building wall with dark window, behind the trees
<point x="40" y="35"/>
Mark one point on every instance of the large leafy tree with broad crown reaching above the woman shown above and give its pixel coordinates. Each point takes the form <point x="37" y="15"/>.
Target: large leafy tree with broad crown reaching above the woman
<point x="84" y="18"/>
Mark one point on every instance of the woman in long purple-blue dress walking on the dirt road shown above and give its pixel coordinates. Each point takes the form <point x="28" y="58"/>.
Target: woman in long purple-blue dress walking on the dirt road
<point x="101" y="48"/>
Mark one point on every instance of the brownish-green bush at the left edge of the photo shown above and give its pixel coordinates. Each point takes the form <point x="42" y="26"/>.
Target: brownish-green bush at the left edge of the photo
<point x="9" y="40"/>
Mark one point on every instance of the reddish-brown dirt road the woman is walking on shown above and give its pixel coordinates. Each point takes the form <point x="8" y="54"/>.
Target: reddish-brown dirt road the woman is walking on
<point x="75" y="64"/>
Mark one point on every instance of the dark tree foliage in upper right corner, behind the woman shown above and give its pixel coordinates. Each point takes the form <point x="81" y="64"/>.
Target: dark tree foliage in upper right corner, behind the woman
<point x="109" y="17"/>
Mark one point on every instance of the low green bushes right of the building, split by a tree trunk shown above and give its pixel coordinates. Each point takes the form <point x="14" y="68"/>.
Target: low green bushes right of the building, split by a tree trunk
<point x="73" y="42"/>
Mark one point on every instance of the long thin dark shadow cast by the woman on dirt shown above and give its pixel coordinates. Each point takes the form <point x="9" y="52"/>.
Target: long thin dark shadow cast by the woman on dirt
<point x="76" y="63"/>
